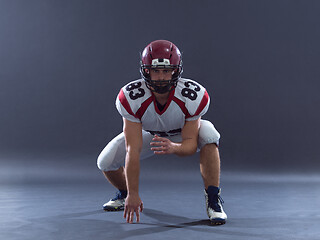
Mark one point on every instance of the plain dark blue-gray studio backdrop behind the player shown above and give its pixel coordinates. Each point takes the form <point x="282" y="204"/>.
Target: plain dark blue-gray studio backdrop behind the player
<point x="62" y="63"/>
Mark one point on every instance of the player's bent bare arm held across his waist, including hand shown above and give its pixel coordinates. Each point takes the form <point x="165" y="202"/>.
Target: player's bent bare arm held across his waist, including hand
<point x="188" y="146"/>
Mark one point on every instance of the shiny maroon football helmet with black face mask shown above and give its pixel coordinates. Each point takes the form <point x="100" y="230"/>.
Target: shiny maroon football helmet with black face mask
<point x="161" y="54"/>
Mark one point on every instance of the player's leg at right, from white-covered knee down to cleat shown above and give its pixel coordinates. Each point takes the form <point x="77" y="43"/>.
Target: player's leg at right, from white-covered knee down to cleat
<point x="210" y="171"/>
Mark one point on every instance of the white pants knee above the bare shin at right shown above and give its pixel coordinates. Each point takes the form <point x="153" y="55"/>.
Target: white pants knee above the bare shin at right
<point x="207" y="134"/>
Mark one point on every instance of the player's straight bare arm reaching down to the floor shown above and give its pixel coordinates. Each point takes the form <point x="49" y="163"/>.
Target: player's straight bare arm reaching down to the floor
<point x="133" y="137"/>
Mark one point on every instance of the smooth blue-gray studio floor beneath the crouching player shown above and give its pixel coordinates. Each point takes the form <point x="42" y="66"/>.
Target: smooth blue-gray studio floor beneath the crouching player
<point x="47" y="200"/>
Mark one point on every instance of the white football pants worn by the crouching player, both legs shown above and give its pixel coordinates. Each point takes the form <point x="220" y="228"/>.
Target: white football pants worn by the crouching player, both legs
<point x="113" y="155"/>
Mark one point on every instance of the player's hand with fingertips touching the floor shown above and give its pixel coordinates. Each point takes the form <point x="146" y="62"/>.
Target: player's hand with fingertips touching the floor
<point x="133" y="205"/>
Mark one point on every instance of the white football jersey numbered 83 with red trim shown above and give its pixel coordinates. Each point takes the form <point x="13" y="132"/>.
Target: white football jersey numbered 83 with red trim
<point x="187" y="102"/>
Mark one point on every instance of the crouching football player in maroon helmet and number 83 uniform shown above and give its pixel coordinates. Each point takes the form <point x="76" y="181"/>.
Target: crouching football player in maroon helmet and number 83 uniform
<point x="161" y="115"/>
